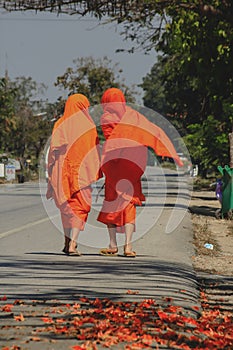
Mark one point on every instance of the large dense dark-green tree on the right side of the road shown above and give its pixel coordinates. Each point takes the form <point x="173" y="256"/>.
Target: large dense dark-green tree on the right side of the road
<point x="191" y="83"/>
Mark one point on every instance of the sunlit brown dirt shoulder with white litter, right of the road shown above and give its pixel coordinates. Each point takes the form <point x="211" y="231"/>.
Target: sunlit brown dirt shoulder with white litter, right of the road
<point x="208" y="229"/>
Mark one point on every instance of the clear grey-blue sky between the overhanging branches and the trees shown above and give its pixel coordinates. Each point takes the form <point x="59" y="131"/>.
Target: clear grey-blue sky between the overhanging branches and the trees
<point x="43" y="45"/>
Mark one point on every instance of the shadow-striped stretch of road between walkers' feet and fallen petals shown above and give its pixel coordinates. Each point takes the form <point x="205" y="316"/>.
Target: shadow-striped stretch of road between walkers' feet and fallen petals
<point x="53" y="276"/>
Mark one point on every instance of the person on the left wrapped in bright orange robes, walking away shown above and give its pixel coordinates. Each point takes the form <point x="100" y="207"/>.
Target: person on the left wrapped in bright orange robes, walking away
<point x="73" y="165"/>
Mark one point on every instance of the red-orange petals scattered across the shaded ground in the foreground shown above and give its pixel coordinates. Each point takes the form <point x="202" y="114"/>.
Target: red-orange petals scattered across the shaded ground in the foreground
<point x="130" y="325"/>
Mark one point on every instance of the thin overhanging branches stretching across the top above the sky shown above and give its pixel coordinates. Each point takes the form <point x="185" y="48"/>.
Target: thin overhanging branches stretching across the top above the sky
<point x="136" y="14"/>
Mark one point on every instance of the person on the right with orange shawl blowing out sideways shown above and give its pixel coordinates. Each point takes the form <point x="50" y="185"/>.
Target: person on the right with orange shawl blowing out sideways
<point x="128" y="134"/>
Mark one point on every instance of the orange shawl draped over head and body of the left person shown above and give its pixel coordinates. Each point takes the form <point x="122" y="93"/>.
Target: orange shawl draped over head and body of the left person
<point x="74" y="159"/>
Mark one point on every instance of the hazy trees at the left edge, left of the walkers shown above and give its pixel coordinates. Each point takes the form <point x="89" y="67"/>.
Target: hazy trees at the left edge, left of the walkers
<point x="25" y="119"/>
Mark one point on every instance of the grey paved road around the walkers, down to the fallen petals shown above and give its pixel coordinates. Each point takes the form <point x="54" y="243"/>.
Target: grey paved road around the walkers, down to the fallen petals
<point x="34" y="268"/>
